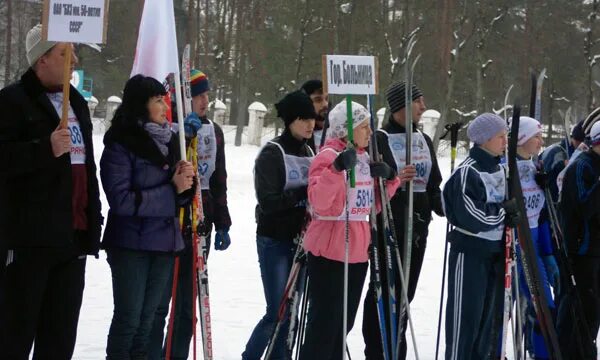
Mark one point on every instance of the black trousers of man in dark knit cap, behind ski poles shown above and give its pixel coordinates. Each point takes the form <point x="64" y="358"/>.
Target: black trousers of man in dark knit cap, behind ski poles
<point x="370" y="328"/>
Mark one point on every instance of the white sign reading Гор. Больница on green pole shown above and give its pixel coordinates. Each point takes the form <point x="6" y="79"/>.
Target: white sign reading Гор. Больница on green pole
<point x="350" y="74"/>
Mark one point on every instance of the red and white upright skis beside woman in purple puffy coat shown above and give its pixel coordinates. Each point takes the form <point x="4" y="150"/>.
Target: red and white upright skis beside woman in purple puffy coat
<point x="200" y="249"/>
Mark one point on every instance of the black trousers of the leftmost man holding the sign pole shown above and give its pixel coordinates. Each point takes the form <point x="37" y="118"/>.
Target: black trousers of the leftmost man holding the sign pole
<point x="40" y="299"/>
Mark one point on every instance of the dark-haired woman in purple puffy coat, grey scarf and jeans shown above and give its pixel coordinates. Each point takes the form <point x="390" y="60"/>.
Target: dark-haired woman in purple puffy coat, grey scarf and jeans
<point x="145" y="184"/>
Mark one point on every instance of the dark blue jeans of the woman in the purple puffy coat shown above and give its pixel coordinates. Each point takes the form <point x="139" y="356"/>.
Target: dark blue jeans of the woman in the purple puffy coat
<point x="139" y="279"/>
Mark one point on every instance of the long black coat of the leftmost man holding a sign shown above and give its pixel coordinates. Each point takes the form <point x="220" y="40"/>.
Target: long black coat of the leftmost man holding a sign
<point x="35" y="187"/>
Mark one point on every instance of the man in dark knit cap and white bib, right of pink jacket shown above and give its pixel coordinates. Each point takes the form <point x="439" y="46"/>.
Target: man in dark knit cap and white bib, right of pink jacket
<point x="426" y="176"/>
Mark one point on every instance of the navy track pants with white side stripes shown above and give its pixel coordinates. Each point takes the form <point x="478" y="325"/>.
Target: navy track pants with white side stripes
<point x="474" y="304"/>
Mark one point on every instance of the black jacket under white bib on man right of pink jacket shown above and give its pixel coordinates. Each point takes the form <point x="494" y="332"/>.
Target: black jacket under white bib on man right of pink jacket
<point x="424" y="203"/>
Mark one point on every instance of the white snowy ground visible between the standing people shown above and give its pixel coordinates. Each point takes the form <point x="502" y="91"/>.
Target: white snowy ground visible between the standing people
<point x="237" y="301"/>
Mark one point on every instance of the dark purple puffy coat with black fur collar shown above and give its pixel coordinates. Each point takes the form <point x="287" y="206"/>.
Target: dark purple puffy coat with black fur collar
<point x="144" y="206"/>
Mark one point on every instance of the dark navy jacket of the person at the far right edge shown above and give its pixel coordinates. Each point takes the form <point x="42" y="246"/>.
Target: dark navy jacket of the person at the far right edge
<point x="580" y="205"/>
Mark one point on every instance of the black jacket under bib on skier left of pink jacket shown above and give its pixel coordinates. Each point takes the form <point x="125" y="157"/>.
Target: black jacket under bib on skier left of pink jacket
<point x="279" y="214"/>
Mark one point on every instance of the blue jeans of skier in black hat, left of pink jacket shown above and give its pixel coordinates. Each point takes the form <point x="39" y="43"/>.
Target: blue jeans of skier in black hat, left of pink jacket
<point x="275" y="258"/>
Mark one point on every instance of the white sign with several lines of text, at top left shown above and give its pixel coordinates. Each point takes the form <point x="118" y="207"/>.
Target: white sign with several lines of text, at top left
<point x="77" y="21"/>
